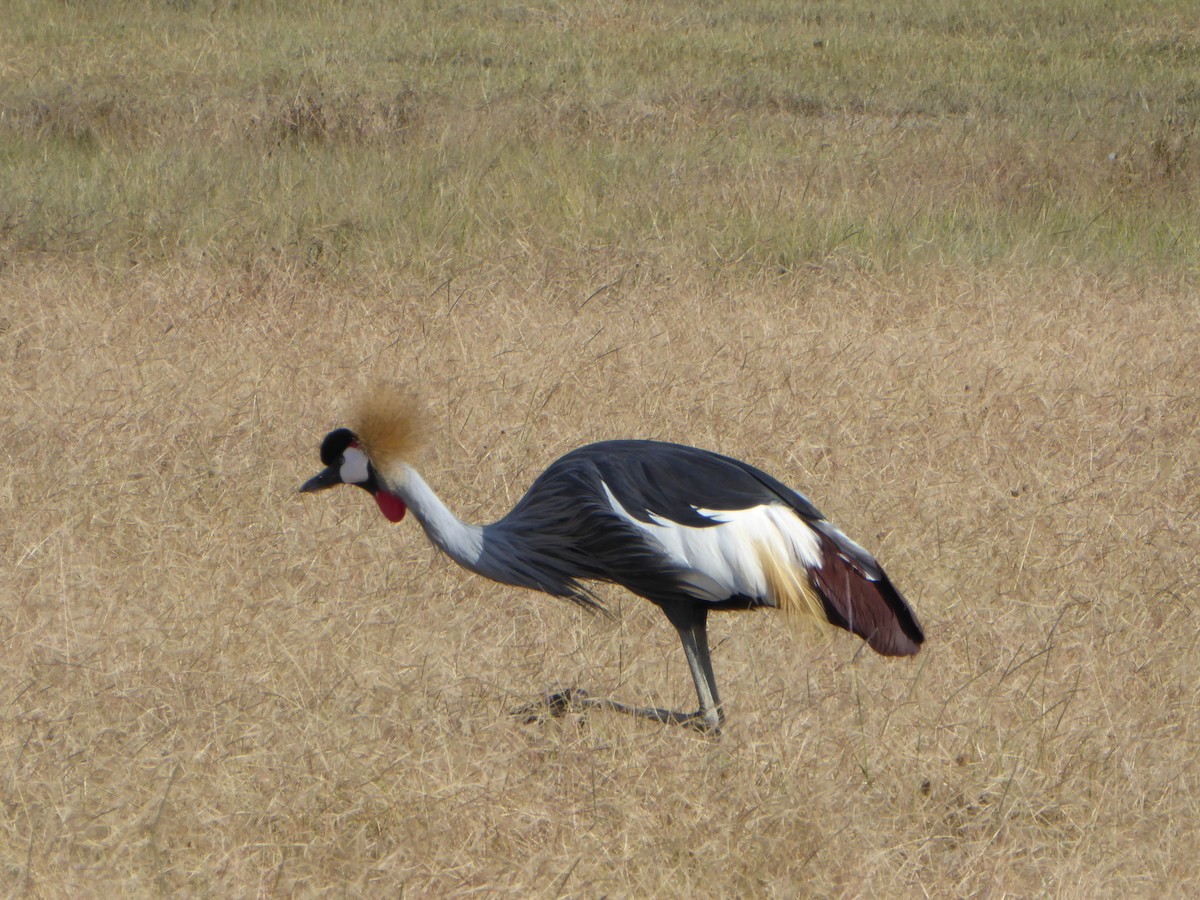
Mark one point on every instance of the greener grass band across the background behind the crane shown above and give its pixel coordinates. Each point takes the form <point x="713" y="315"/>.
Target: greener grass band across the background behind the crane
<point x="760" y="136"/>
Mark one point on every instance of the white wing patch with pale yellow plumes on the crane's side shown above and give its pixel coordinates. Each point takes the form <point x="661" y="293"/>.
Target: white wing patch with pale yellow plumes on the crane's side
<point x="760" y="553"/>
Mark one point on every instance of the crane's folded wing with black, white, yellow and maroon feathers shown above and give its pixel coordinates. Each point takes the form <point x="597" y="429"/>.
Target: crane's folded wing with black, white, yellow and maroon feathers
<point x="734" y="533"/>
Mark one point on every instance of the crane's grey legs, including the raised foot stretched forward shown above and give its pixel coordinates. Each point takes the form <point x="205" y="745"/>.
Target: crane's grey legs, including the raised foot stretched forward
<point x="692" y="625"/>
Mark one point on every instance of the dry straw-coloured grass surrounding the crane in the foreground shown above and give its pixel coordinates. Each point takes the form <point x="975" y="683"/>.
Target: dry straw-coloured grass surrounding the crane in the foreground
<point x="215" y="686"/>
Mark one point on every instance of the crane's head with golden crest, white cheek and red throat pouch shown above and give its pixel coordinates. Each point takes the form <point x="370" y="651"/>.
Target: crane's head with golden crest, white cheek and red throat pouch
<point x="373" y="454"/>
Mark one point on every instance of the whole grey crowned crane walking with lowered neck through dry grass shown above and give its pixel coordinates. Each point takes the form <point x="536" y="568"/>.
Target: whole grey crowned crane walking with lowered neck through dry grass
<point x="688" y="530"/>
